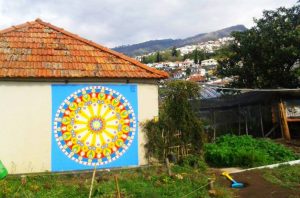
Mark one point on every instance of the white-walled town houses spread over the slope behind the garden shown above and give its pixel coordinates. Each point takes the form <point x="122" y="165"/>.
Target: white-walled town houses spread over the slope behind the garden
<point x="186" y="65"/>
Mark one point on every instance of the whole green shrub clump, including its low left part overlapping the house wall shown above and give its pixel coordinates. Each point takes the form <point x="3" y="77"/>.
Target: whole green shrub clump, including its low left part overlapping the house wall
<point x="176" y="114"/>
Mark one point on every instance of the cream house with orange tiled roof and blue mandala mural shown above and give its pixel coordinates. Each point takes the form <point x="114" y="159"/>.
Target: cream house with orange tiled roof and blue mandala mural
<point x="69" y="104"/>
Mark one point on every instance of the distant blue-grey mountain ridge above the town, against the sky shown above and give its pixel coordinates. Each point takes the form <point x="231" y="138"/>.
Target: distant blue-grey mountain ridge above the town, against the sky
<point x="156" y="45"/>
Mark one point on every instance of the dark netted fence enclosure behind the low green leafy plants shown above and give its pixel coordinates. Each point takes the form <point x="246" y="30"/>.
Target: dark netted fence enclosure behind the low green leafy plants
<point x="253" y="113"/>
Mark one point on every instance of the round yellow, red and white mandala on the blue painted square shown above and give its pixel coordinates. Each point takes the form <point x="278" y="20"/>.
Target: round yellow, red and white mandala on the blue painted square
<point x="94" y="125"/>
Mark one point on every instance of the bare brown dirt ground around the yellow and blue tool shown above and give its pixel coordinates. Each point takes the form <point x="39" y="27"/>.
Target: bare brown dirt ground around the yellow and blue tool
<point x="257" y="186"/>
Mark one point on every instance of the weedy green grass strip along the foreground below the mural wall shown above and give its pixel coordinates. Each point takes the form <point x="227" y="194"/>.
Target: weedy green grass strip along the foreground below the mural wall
<point x="141" y="182"/>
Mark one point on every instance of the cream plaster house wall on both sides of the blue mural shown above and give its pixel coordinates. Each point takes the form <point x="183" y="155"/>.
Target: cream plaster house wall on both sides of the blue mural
<point x="25" y="120"/>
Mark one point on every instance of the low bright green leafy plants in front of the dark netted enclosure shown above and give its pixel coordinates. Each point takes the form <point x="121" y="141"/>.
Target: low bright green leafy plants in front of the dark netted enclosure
<point x="245" y="151"/>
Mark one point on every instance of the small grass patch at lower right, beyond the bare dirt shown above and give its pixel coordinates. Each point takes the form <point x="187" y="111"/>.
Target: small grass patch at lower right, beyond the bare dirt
<point x="285" y="176"/>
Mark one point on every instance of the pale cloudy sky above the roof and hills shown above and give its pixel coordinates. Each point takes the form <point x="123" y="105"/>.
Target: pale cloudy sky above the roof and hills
<point x="121" y="22"/>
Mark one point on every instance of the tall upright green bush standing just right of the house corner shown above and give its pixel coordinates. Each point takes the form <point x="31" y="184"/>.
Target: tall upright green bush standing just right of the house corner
<point x="177" y="113"/>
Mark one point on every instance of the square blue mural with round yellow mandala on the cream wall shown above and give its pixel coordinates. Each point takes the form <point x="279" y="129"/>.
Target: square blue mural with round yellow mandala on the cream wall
<point x="94" y="126"/>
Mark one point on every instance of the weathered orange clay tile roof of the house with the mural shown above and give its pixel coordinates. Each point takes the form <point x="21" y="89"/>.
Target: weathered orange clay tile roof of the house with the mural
<point x="40" y="50"/>
